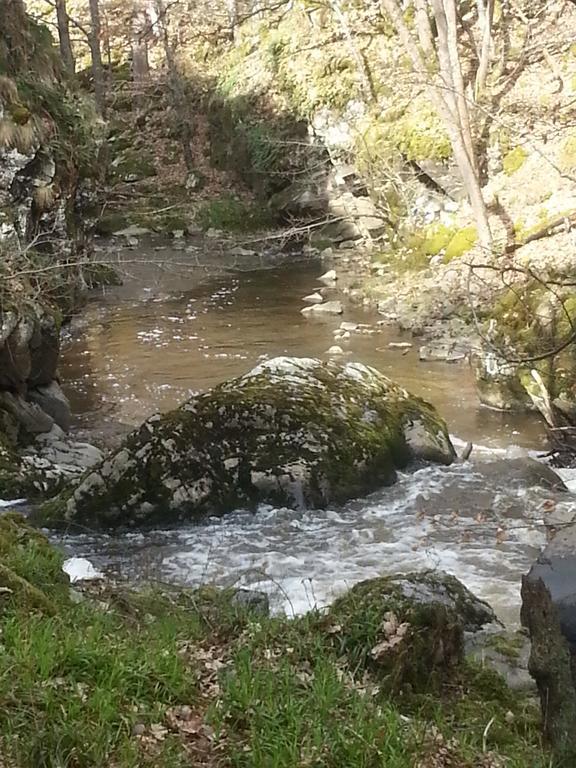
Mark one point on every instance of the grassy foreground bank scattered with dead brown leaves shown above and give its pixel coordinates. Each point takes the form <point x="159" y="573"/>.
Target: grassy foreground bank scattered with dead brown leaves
<point x="107" y="676"/>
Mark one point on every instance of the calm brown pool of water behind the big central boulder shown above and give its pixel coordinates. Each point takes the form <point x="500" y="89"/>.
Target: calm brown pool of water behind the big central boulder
<point x="152" y="343"/>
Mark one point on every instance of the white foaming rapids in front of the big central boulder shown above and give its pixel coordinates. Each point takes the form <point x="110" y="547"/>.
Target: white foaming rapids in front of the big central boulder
<point x="484" y="530"/>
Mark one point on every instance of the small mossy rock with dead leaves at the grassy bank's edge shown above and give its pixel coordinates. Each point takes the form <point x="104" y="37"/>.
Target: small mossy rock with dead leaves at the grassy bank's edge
<point x="407" y="629"/>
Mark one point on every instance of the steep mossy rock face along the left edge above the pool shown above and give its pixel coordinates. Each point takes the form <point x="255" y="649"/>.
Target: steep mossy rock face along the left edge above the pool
<point x="48" y="151"/>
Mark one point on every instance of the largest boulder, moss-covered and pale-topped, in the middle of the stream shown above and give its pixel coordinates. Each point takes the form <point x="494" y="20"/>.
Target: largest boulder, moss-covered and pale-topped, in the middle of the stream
<point x="293" y="432"/>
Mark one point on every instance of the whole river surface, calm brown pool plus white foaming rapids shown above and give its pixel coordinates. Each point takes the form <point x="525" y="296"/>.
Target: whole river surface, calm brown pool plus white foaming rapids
<point x="166" y="334"/>
